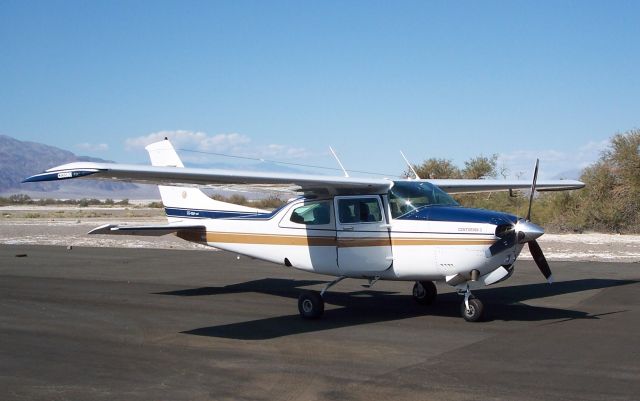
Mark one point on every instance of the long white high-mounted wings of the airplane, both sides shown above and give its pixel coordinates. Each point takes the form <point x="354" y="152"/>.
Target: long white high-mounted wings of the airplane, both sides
<point x="310" y="184"/>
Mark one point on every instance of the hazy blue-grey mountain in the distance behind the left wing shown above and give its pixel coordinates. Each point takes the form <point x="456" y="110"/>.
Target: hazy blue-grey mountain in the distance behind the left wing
<point x="20" y="159"/>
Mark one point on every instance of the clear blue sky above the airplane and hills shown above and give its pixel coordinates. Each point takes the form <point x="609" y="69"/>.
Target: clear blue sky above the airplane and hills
<point x="284" y="80"/>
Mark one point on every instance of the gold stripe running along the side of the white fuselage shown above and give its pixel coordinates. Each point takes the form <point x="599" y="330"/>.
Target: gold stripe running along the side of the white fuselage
<point x="353" y="242"/>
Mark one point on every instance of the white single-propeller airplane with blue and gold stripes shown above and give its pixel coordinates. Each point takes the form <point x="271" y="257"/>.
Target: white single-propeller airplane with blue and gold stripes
<point x="363" y="228"/>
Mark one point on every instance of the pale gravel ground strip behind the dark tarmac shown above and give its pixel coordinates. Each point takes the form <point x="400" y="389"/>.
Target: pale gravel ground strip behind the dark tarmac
<point x="69" y="227"/>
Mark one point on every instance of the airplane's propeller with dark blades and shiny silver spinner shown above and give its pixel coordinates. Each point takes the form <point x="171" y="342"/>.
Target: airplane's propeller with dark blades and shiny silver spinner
<point x="524" y="231"/>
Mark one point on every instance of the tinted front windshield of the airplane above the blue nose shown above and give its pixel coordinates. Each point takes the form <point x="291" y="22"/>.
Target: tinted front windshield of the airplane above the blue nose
<point x="406" y="196"/>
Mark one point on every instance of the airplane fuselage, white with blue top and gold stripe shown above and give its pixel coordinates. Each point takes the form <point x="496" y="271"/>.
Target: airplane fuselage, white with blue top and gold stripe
<point x="361" y="236"/>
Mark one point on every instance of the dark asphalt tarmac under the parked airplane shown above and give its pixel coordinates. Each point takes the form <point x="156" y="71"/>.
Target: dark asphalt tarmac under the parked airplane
<point x="136" y="324"/>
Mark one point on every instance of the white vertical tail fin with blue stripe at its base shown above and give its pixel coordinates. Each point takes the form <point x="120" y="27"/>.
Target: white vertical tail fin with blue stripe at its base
<point x="188" y="202"/>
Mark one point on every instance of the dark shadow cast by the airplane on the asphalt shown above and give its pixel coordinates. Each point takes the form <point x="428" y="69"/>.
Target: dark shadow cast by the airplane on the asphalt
<point x="367" y="306"/>
